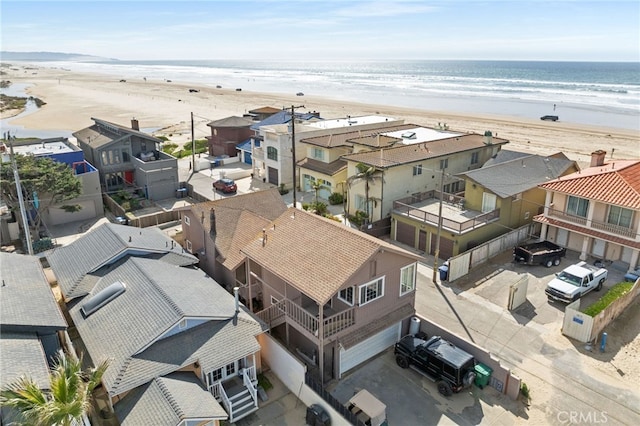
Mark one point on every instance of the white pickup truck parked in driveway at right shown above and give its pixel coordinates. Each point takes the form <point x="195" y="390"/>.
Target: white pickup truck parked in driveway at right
<point x="575" y="281"/>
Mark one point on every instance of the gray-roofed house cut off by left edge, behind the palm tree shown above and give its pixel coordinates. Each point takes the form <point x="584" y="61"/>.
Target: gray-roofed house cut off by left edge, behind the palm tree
<point x="33" y="327"/>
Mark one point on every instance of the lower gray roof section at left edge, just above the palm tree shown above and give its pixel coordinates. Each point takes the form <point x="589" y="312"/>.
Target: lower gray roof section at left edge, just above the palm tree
<point x="22" y="354"/>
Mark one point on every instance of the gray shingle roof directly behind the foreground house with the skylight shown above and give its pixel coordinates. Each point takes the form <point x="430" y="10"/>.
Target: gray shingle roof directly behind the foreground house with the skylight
<point x="105" y="245"/>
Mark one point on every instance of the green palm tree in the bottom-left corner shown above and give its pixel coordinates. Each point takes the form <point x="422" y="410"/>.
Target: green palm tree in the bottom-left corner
<point x="67" y="401"/>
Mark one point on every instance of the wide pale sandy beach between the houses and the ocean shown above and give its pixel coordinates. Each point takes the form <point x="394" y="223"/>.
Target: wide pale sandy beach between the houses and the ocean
<point x="72" y="99"/>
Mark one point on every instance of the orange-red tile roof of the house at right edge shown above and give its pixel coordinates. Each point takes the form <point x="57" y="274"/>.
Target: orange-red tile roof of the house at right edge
<point x="616" y="182"/>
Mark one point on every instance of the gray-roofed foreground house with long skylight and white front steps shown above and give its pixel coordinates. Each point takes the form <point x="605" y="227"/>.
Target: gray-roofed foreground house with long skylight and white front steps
<point x="177" y="343"/>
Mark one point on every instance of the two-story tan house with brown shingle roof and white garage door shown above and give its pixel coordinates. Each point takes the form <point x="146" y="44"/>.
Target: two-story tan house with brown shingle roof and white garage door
<point x="334" y="296"/>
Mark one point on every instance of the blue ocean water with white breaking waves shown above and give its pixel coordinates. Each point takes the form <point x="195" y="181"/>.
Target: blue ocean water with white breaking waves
<point x="595" y="93"/>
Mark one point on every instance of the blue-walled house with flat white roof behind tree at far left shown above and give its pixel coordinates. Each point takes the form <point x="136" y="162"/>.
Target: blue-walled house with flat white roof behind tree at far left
<point x="89" y="204"/>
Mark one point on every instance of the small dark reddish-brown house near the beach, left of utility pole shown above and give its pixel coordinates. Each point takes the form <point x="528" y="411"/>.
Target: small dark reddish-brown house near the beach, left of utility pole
<point x="227" y="133"/>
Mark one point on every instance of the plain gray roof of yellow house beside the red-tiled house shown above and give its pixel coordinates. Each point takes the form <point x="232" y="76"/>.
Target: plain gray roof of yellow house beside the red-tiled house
<point x="508" y="178"/>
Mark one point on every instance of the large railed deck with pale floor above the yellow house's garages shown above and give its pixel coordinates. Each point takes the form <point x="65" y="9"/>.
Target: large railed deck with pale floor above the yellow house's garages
<point x="425" y="207"/>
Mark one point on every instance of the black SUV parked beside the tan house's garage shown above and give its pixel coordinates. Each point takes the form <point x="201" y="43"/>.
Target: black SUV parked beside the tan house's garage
<point x="452" y="368"/>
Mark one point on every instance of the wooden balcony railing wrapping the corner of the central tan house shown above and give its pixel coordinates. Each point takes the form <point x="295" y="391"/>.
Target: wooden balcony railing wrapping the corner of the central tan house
<point x="275" y="315"/>
